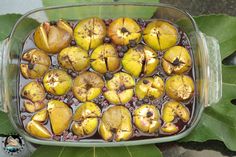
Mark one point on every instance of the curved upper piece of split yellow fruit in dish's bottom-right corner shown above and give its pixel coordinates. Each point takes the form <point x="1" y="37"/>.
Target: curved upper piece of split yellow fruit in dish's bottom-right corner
<point x="173" y="109"/>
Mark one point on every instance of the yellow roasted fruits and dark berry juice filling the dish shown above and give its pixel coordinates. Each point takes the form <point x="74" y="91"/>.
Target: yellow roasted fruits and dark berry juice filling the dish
<point x="111" y="79"/>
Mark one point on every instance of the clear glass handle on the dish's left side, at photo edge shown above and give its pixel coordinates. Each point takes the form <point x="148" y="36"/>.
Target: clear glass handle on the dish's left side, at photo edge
<point x="3" y="51"/>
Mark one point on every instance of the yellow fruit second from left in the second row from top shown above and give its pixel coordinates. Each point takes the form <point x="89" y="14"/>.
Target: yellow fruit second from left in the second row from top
<point x="74" y="58"/>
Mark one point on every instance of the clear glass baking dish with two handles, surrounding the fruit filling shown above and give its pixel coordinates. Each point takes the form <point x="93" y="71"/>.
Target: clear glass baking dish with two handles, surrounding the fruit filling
<point x="205" y="49"/>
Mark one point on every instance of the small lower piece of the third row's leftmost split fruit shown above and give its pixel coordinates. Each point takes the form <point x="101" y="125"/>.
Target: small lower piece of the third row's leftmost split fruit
<point x="33" y="106"/>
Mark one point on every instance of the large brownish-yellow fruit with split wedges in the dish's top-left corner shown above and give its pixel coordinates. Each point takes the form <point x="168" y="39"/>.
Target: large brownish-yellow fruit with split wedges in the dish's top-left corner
<point x="53" y="38"/>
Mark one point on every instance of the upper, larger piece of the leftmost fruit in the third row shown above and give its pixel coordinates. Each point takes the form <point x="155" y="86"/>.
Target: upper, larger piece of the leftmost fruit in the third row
<point x="33" y="91"/>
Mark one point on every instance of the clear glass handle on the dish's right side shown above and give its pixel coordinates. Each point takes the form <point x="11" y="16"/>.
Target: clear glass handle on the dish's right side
<point x="213" y="69"/>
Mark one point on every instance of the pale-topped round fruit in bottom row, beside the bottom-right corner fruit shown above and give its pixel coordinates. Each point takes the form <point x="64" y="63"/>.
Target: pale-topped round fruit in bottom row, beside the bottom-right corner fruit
<point x="147" y="118"/>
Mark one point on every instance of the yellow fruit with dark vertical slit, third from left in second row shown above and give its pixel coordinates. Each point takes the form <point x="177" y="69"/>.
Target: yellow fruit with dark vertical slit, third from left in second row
<point x="105" y="58"/>
